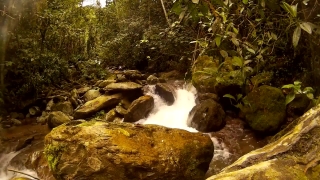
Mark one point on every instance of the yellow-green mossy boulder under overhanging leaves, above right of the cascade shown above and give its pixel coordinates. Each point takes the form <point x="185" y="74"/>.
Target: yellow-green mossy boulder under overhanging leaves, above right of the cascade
<point x="208" y="76"/>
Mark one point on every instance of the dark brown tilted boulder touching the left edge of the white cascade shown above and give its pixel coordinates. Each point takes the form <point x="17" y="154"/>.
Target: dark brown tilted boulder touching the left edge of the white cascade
<point x="139" y="109"/>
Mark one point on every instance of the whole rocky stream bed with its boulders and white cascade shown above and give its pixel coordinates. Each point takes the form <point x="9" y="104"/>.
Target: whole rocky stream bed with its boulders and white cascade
<point x="135" y="127"/>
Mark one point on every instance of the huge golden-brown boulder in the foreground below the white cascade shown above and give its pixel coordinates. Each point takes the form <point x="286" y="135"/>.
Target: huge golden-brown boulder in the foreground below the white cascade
<point x="99" y="150"/>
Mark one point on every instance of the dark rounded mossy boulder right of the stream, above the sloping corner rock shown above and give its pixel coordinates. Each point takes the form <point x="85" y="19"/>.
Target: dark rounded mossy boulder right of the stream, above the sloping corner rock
<point x="264" y="109"/>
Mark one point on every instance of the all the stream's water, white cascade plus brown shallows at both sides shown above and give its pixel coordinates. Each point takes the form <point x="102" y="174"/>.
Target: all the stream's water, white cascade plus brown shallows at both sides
<point x="230" y="143"/>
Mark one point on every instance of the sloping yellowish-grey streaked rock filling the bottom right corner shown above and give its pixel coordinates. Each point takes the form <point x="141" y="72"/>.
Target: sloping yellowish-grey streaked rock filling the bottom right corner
<point x="293" y="154"/>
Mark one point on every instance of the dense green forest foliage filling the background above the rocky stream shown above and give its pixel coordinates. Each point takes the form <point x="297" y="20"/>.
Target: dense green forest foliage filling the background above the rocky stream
<point x="47" y="42"/>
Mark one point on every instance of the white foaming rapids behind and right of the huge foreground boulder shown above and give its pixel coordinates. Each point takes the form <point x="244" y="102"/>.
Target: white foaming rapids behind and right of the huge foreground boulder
<point x="176" y="115"/>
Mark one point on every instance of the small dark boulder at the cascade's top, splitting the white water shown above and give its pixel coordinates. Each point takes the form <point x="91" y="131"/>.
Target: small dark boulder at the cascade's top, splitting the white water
<point x="166" y="92"/>
